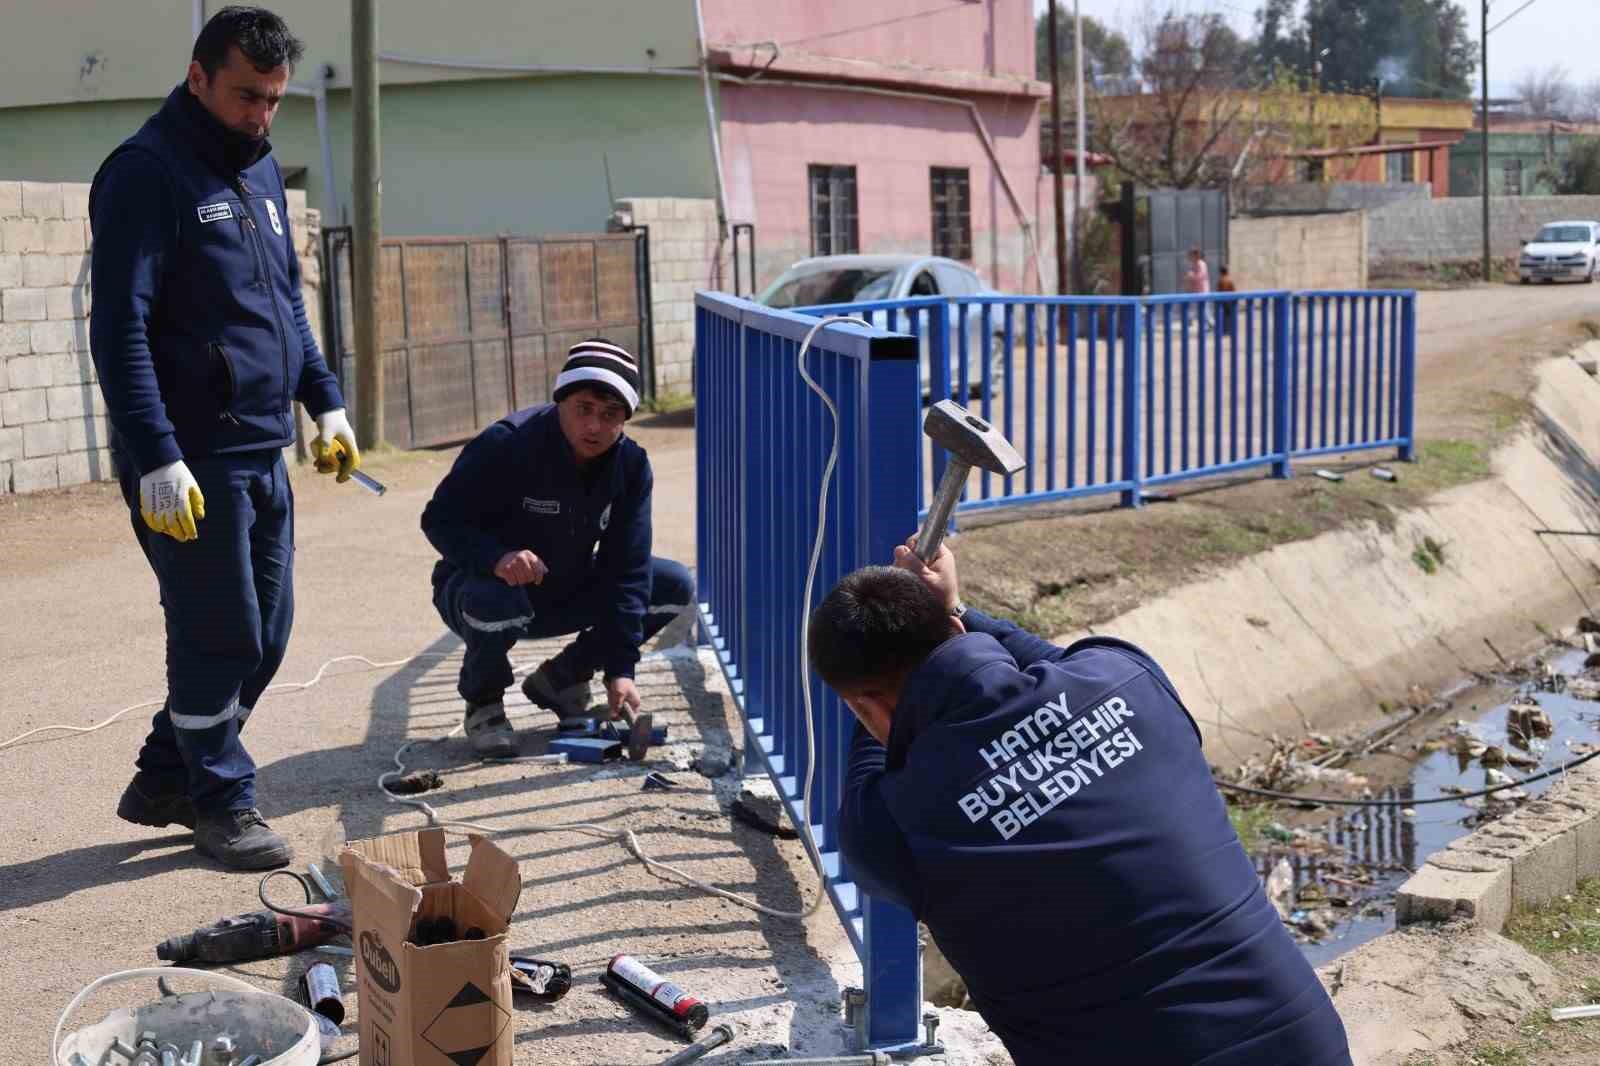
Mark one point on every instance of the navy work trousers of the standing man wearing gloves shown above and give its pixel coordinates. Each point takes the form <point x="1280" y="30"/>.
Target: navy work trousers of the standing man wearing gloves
<point x="230" y="604"/>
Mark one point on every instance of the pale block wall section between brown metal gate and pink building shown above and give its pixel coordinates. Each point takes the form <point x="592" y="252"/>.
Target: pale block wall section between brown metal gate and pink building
<point x="682" y="260"/>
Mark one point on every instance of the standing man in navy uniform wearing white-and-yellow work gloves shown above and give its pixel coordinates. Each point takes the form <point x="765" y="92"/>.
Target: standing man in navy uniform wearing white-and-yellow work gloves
<point x="201" y="342"/>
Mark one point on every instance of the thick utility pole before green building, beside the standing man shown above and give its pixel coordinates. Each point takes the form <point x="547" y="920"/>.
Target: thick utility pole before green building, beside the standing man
<point x="369" y="193"/>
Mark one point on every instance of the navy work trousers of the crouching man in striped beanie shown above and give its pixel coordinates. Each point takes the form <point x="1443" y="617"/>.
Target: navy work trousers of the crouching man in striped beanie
<point x="492" y="617"/>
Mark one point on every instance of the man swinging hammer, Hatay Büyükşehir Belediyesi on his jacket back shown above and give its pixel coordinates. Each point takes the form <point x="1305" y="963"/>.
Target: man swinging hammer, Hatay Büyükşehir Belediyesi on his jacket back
<point x="1050" y="817"/>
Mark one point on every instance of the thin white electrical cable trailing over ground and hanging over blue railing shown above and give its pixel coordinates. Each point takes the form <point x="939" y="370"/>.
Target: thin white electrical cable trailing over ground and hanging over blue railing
<point x="626" y="838"/>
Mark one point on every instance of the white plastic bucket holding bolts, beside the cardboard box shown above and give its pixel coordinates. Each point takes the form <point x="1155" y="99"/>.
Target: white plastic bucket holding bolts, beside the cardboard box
<point x="281" y="1032"/>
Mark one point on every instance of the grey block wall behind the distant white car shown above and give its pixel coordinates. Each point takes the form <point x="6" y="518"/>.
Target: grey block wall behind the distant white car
<point x="1452" y="231"/>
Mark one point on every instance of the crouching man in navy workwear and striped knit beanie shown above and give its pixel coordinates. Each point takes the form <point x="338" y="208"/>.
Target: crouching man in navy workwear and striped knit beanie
<point x="545" y="531"/>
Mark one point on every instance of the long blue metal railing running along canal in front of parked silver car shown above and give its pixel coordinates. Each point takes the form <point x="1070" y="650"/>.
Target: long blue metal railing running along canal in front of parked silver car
<point x="1122" y="395"/>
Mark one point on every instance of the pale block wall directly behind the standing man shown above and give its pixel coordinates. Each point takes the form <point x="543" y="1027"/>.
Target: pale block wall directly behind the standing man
<point x="54" y="428"/>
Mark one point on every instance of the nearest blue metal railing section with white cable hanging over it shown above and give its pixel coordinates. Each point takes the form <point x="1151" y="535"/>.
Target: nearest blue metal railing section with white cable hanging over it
<point x="762" y="441"/>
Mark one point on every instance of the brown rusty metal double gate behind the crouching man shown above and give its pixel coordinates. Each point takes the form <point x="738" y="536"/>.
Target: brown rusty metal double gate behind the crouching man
<point x="478" y="327"/>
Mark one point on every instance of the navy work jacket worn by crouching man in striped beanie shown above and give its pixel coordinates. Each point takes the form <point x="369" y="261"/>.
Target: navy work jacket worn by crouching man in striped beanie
<point x="518" y="487"/>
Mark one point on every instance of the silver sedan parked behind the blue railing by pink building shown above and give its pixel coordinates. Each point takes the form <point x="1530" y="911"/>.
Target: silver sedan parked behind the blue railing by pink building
<point x="831" y="281"/>
